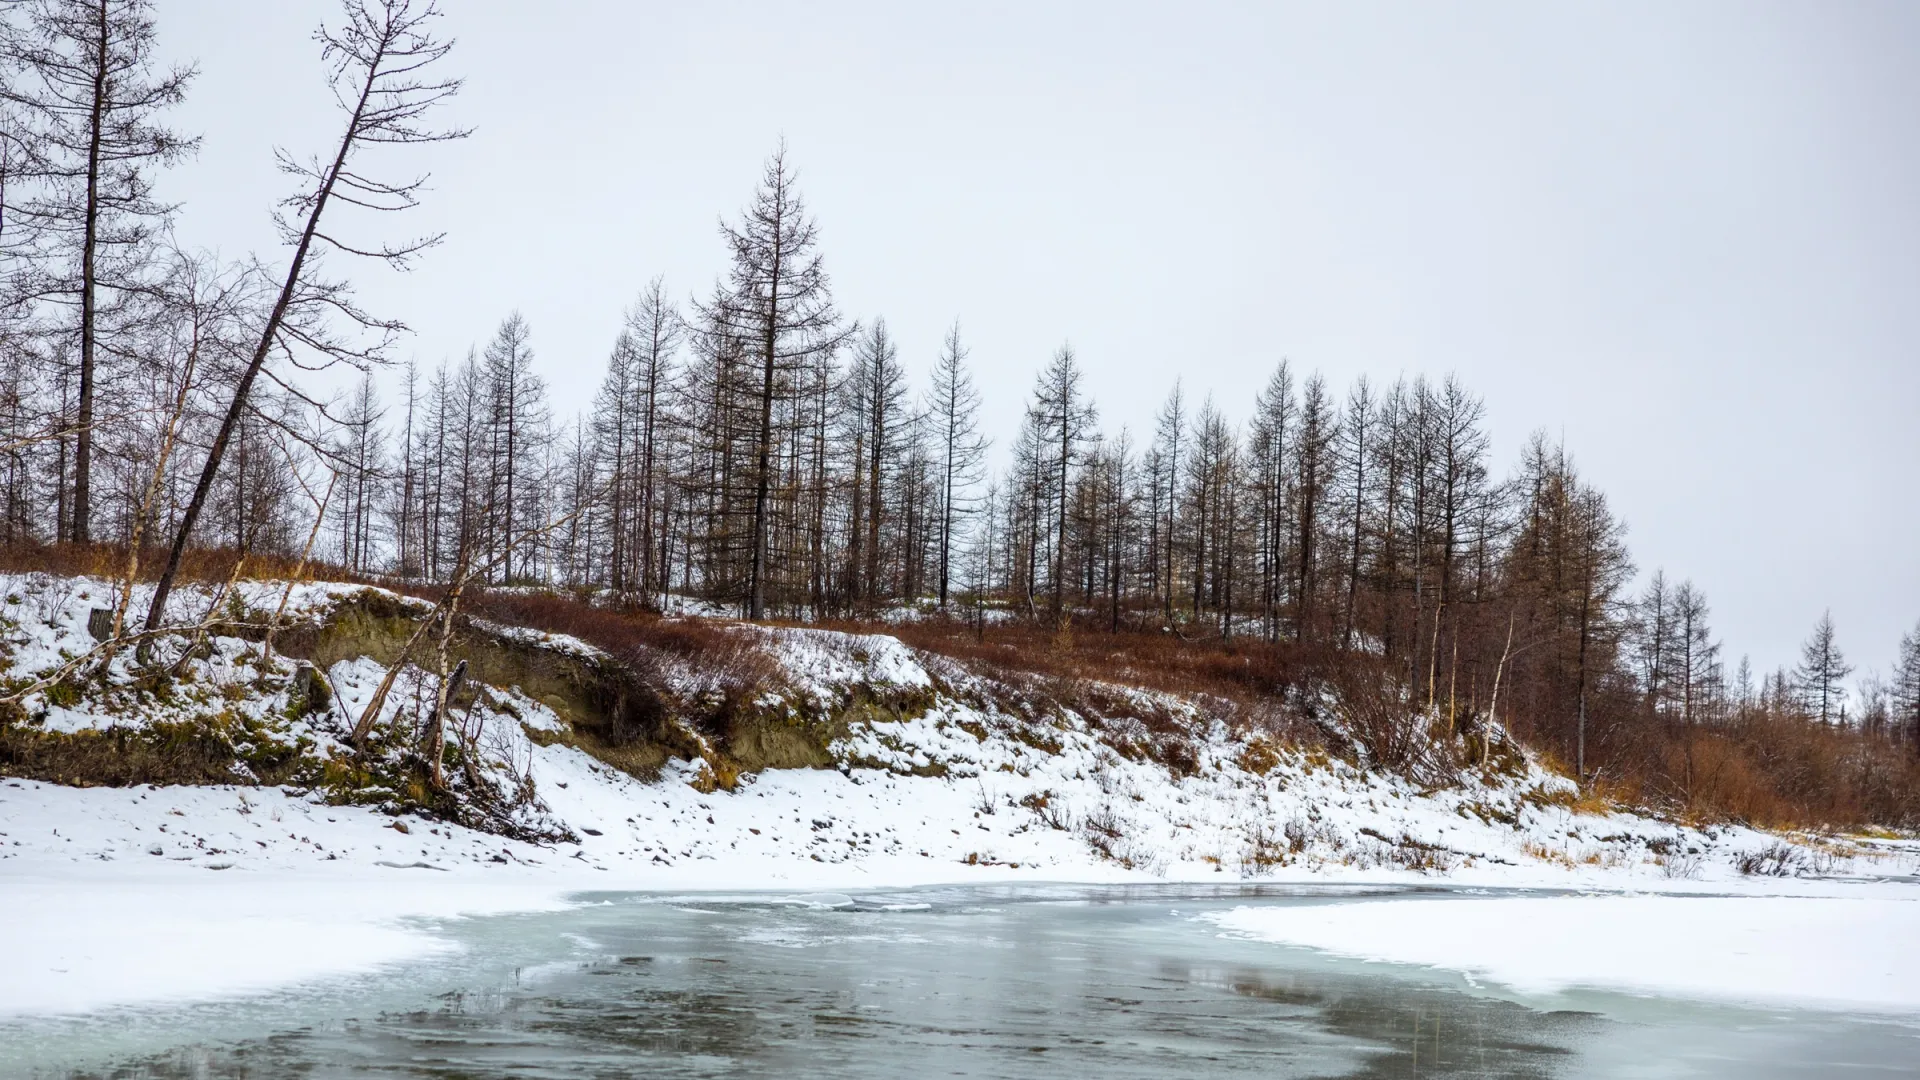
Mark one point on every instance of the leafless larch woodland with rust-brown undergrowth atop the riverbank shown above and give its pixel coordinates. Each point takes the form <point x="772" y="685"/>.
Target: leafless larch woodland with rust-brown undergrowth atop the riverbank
<point x="757" y="449"/>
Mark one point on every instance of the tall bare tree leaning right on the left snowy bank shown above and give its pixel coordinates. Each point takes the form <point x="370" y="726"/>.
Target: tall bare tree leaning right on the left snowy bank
<point x="381" y="68"/>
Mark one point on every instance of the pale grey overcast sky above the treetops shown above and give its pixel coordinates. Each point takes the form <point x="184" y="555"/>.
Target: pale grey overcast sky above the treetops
<point x="1683" y="237"/>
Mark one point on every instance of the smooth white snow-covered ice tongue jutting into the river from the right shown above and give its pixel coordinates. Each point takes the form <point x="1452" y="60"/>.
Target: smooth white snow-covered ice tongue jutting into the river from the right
<point x="1836" y="952"/>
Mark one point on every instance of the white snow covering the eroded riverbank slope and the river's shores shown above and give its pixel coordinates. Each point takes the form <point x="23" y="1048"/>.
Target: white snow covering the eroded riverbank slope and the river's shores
<point x="126" y="895"/>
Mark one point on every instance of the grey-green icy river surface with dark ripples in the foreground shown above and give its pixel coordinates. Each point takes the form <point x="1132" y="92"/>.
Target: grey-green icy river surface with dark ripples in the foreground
<point x="1036" y="981"/>
